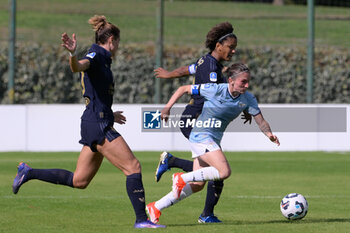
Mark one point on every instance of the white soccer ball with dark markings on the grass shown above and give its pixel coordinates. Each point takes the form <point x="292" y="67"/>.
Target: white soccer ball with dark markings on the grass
<point x="294" y="206"/>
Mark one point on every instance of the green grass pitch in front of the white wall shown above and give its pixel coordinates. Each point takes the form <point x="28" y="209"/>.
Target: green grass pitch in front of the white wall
<point x="249" y="202"/>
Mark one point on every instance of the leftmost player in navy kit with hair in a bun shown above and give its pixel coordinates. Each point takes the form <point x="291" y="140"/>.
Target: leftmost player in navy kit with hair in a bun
<point x="98" y="136"/>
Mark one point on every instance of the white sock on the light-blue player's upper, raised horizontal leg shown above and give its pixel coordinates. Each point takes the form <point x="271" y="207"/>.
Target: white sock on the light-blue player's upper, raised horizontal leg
<point x="203" y="174"/>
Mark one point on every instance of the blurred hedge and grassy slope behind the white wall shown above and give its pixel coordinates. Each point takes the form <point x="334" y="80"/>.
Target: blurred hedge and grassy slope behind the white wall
<point x="272" y="41"/>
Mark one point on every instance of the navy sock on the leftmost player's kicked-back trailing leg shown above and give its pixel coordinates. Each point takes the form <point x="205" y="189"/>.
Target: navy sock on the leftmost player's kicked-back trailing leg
<point x="55" y="176"/>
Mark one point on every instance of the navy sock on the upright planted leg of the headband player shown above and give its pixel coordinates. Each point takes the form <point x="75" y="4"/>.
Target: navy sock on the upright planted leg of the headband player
<point x="213" y="194"/>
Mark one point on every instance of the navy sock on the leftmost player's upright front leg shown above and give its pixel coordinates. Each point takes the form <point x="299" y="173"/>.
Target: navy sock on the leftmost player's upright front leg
<point x="136" y="194"/>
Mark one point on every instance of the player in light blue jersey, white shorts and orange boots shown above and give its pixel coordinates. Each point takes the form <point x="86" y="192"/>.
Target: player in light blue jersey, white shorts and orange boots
<point x="223" y="103"/>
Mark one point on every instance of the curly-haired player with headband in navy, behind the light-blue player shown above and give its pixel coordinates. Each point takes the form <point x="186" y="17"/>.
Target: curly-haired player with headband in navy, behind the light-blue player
<point x="221" y="43"/>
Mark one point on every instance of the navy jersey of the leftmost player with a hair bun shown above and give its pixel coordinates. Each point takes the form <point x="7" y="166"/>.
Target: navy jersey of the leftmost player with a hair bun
<point x="98" y="85"/>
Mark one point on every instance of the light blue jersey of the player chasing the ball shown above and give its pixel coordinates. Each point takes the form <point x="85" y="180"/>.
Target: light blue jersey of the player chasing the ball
<point x="220" y="108"/>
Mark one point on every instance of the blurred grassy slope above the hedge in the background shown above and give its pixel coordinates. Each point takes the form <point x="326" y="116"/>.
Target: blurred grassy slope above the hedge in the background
<point x="185" y="23"/>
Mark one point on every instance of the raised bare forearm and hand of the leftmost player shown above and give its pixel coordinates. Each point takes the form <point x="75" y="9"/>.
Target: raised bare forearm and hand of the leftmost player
<point x="70" y="44"/>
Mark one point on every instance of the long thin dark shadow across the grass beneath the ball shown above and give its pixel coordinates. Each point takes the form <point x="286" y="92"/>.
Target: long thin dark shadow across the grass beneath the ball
<point x="282" y="221"/>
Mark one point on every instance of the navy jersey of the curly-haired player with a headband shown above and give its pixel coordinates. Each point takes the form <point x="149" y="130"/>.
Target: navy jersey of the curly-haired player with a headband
<point x="208" y="70"/>
